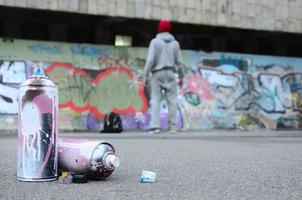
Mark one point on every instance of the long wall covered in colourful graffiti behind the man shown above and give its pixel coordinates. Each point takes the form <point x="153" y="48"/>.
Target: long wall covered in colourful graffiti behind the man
<point x="221" y="90"/>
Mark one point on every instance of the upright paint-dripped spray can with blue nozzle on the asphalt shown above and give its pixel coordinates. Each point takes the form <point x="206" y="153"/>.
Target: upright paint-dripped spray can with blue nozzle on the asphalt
<point x="37" y="129"/>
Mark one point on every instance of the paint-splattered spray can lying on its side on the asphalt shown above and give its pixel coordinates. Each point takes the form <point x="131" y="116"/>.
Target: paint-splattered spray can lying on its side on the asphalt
<point x="96" y="159"/>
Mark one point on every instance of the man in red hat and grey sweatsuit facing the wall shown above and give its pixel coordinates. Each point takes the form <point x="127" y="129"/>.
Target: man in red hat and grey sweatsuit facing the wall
<point x="163" y="61"/>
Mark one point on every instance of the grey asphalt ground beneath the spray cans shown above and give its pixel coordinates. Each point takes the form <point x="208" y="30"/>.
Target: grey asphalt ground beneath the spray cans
<point x="189" y="165"/>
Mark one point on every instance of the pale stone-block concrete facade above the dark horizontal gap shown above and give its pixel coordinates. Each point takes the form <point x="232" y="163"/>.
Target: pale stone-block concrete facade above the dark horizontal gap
<point x="273" y="15"/>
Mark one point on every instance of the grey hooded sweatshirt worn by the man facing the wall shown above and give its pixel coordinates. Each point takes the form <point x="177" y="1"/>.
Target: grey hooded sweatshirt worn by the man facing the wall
<point x="164" y="51"/>
